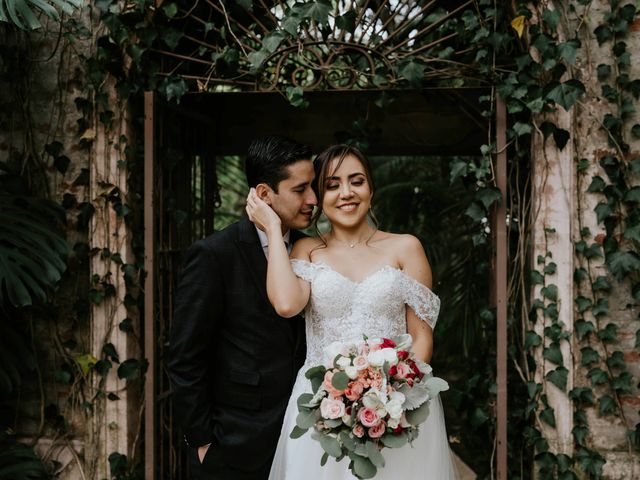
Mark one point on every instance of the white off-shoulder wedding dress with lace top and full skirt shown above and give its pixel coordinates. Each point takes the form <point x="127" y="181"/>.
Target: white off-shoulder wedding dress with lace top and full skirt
<point x="341" y="310"/>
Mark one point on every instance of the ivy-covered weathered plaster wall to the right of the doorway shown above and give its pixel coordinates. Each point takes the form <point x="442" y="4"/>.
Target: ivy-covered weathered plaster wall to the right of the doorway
<point x="564" y="204"/>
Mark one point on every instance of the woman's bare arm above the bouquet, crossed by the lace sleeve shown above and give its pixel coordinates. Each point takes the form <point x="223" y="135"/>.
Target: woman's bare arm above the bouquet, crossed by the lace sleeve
<point x="415" y="264"/>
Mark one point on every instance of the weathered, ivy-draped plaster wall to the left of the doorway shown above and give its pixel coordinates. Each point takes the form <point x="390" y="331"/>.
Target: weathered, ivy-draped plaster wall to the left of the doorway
<point x="52" y="70"/>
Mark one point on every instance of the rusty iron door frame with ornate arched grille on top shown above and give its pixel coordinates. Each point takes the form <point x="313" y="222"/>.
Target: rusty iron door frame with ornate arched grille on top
<point x="260" y="46"/>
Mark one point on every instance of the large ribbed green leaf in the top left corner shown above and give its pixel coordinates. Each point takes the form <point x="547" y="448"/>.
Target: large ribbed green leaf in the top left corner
<point x="25" y="13"/>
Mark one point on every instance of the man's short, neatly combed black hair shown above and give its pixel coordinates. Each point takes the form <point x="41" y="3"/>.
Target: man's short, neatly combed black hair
<point x="268" y="158"/>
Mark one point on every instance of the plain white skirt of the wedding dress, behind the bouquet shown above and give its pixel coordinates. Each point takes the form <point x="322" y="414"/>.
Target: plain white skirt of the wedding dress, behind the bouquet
<point x="428" y="458"/>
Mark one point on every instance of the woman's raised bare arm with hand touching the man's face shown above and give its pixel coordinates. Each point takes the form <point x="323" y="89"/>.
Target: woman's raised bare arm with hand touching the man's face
<point x="287" y="293"/>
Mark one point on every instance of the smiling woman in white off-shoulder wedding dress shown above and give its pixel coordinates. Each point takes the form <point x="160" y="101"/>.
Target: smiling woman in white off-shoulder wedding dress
<point x="352" y="281"/>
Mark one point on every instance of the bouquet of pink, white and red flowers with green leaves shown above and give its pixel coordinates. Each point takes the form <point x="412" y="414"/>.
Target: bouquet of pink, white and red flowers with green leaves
<point x="371" y="394"/>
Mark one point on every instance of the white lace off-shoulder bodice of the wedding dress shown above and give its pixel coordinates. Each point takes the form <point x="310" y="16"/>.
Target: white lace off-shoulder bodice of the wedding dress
<point x="340" y="309"/>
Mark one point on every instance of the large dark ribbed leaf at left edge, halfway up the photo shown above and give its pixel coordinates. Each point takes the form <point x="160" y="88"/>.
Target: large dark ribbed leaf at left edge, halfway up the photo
<point x="32" y="251"/>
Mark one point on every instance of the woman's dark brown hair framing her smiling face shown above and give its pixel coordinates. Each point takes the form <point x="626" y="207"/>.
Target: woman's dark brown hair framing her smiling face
<point x="322" y="166"/>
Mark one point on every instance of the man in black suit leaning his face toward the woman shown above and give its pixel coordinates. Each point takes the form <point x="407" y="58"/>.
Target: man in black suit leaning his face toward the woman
<point x="232" y="359"/>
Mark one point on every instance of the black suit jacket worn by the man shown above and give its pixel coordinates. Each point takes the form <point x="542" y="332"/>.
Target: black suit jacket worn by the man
<point x="232" y="359"/>
